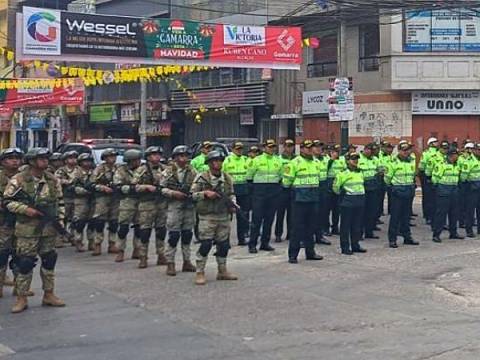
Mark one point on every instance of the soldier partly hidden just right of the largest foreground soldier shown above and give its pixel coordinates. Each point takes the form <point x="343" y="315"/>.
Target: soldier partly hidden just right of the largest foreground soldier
<point x="66" y="175"/>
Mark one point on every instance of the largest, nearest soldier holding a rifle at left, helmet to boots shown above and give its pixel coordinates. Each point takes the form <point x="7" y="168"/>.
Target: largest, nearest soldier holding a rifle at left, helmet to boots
<point x="26" y="192"/>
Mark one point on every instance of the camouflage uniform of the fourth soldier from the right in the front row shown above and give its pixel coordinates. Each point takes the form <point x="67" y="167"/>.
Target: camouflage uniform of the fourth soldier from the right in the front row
<point x="124" y="183"/>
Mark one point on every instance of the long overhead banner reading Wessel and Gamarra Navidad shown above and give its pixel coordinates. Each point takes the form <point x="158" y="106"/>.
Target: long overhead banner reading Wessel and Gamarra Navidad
<point x="156" y="41"/>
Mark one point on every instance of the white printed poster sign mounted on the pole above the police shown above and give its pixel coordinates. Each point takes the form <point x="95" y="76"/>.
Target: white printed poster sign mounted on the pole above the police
<point x="341" y="104"/>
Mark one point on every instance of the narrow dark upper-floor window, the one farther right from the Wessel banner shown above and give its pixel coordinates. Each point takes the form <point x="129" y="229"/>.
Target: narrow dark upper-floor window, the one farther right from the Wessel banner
<point x="369" y="47"/>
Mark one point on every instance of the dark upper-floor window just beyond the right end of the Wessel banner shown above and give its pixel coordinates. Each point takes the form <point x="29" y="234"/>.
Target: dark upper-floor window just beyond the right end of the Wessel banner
<point x="323" y="60"/>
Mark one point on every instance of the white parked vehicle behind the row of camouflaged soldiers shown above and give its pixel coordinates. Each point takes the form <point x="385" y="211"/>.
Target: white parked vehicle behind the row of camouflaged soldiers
<point x="96" y="147"/>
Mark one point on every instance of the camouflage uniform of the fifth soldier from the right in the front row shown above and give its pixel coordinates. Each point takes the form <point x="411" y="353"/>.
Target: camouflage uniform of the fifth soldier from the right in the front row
<point x="106" y="204"/>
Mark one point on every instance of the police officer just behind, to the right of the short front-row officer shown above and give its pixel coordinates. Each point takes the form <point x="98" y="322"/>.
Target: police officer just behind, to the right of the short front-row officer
<point x="369" y="166"/>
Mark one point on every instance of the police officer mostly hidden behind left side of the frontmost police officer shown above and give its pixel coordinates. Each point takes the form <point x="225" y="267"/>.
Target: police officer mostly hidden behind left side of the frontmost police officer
<point x="284" y="203"/>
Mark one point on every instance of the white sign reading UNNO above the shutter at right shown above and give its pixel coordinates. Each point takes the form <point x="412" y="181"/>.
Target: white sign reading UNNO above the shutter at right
<point x="455" y="102"/>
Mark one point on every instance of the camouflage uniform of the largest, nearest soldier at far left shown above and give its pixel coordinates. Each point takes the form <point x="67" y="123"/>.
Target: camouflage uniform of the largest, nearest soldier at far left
<point x="33" y="236"/>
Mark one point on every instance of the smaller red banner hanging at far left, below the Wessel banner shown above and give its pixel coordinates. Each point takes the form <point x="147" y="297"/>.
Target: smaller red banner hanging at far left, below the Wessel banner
<point x="73" y="94"/>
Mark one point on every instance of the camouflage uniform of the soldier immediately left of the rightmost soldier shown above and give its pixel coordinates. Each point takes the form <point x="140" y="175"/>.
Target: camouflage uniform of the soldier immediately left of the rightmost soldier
<point x="180" y="218"/>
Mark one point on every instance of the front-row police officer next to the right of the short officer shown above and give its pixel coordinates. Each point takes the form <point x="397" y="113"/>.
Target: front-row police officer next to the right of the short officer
<point x="400" y="179"/>
